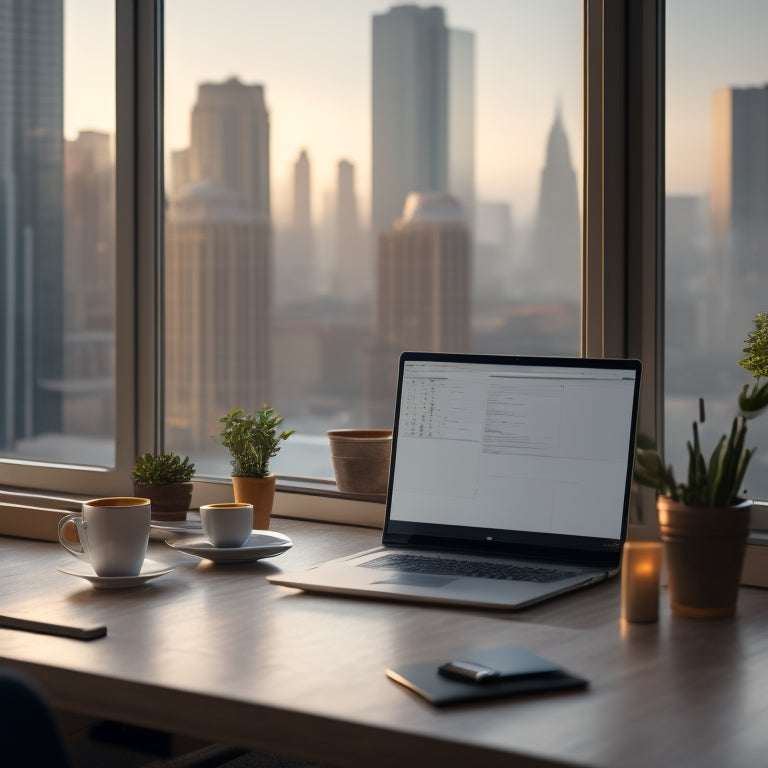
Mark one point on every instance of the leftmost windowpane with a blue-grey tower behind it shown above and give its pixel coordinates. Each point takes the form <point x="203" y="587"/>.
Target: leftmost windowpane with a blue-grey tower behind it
<point x="57" y="243"/>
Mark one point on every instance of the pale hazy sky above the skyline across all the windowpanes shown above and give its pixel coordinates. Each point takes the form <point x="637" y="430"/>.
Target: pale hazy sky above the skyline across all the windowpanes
<point x="313" y="57"/>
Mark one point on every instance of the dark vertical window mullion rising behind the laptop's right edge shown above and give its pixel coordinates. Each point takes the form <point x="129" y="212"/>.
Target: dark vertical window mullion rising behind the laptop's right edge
<point x="623" y="198"/>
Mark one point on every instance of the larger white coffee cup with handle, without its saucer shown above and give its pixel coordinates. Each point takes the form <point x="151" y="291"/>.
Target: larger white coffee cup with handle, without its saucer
<point x="113" y="534"/>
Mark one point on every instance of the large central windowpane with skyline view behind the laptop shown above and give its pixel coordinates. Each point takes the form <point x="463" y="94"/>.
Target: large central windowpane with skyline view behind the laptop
<point x="347" y="182"/>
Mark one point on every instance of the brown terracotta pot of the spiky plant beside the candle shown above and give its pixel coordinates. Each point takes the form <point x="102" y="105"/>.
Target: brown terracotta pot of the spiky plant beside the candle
<point x="704" y="549"/>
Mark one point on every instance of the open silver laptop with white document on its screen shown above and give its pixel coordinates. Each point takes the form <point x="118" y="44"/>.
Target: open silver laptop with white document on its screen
<point x="509" y="482"/>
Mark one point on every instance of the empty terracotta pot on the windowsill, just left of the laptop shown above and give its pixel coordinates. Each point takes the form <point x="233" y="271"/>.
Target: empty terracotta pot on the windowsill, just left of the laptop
<point x="361" y="459"/>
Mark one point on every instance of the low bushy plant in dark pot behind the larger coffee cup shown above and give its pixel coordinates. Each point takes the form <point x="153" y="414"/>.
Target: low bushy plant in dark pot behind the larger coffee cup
<point x="164" y="479"/>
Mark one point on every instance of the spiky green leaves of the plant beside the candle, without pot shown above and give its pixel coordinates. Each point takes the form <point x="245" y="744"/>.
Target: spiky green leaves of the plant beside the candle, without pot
<point x="717" y="482"/>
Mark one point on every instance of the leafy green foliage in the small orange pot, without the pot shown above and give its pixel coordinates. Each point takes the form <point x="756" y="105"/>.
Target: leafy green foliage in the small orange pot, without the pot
<point x="252" y="440"/>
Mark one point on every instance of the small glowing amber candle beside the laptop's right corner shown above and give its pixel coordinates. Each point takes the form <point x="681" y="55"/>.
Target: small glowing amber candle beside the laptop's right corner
<point x="640" y="581"/>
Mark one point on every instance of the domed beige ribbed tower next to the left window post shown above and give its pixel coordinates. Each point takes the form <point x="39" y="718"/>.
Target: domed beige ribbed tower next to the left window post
<point x="217" y="311"/>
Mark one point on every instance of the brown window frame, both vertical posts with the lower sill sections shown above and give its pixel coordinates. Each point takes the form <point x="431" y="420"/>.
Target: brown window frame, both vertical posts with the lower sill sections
<point x="622" y="274"/>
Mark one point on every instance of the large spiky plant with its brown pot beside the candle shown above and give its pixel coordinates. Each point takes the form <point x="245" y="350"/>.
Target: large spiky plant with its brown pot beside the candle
<point x="704" y="521"/>
